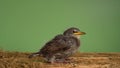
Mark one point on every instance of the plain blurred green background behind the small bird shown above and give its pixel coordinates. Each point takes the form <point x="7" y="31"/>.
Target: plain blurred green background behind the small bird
<point x="26" y="25"/>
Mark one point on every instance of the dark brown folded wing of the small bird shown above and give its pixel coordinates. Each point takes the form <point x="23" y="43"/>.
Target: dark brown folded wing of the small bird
<point x="60" y="43"/>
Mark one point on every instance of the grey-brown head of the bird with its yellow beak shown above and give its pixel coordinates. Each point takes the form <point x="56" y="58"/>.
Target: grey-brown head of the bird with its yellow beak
<point x="75" y="32"/>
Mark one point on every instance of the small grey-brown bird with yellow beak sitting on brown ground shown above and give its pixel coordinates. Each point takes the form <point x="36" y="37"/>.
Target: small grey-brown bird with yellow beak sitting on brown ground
<point x="61" y="46"/>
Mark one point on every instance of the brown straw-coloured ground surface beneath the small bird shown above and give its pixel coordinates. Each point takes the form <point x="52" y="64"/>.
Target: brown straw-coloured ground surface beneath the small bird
<point x="79" y="60"/>
